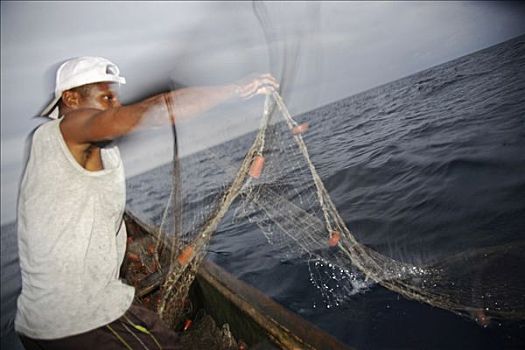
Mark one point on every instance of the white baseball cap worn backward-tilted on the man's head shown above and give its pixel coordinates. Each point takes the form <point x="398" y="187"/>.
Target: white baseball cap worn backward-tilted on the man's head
<point x="81" y="71"/>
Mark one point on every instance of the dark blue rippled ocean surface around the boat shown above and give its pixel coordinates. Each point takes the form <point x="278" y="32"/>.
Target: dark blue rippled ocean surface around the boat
<point x="429" y="165"/>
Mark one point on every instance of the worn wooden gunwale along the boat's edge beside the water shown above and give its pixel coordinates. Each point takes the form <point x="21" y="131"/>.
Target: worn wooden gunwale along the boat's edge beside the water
<point x="282" y="327"/>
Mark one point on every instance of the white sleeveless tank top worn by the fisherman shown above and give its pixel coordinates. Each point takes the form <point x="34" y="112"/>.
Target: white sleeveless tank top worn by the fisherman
<point x="71" y="240"/>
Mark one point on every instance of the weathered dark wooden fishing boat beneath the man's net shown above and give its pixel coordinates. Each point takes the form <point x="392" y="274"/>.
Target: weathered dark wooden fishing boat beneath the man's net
<point x="259" y="321"/>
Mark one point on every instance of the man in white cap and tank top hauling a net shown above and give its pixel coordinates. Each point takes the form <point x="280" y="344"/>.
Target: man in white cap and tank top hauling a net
<point x="72" y="197"/>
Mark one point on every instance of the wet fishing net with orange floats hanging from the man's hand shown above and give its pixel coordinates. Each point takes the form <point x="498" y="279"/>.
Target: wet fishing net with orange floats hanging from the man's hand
<point x="279" y="189"/>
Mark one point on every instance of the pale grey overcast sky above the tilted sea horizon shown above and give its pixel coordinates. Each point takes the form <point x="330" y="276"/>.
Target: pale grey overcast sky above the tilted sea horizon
<point x="344" y="48"/>
